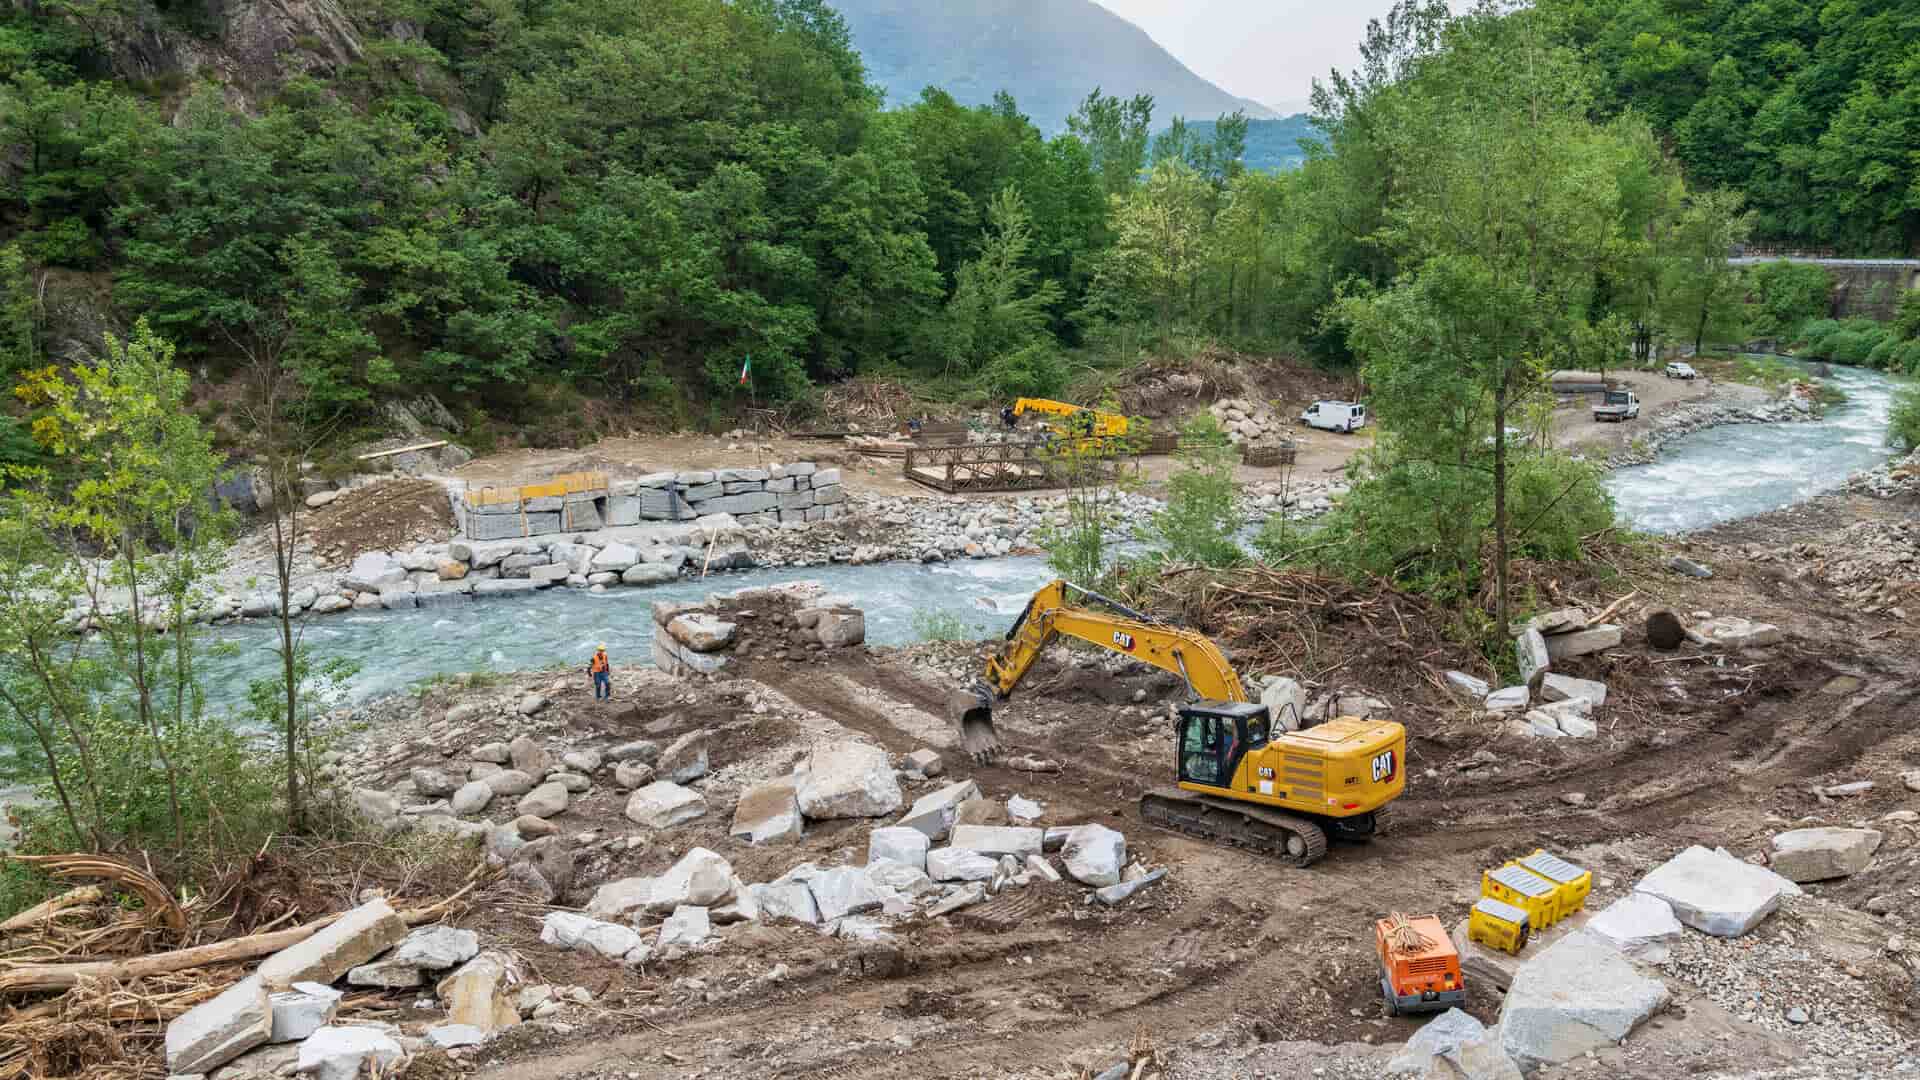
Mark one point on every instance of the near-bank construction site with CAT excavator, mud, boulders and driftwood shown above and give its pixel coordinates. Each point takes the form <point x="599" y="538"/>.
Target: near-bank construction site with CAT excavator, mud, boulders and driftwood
<point x="1262" y="823"/>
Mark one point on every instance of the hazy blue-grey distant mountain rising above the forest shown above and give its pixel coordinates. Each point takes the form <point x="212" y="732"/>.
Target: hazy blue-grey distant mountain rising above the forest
<point x="1047" y="53"/>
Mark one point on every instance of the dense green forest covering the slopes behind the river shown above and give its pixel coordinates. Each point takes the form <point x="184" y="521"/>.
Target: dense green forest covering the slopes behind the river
<point x="542" y="203"/>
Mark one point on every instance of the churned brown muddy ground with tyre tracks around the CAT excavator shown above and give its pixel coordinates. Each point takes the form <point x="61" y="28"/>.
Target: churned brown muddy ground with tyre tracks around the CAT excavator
<point x="1236" y="966"/>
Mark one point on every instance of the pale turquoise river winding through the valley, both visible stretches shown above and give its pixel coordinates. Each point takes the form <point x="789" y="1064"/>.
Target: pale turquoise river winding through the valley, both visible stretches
<point x="1702" y="479"/>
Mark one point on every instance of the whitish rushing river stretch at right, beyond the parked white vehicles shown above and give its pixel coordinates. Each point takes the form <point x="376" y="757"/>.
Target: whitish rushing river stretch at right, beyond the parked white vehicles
<point x="1740" y="472"/>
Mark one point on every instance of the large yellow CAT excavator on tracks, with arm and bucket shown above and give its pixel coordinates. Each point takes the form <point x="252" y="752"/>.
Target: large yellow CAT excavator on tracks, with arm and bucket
<point x="1245" y="777"/>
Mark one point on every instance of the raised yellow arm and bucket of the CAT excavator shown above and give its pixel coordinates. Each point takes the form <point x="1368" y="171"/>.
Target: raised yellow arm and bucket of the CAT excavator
<point x="1049" y="616"/>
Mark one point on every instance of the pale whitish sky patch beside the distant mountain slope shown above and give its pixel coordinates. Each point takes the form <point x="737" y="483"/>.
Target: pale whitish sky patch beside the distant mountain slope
<point x="1268" y="51"/>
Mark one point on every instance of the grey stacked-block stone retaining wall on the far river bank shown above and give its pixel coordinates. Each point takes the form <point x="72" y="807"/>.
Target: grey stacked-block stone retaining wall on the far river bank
<point x="775" y="495"/>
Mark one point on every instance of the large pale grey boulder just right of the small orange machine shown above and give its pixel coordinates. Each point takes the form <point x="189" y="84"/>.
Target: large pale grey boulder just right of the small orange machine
<point x="1577" y="996"/>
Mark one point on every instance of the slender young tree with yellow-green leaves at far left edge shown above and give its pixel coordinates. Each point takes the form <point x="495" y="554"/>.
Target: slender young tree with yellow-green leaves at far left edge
<point x="132" y="481"/>
